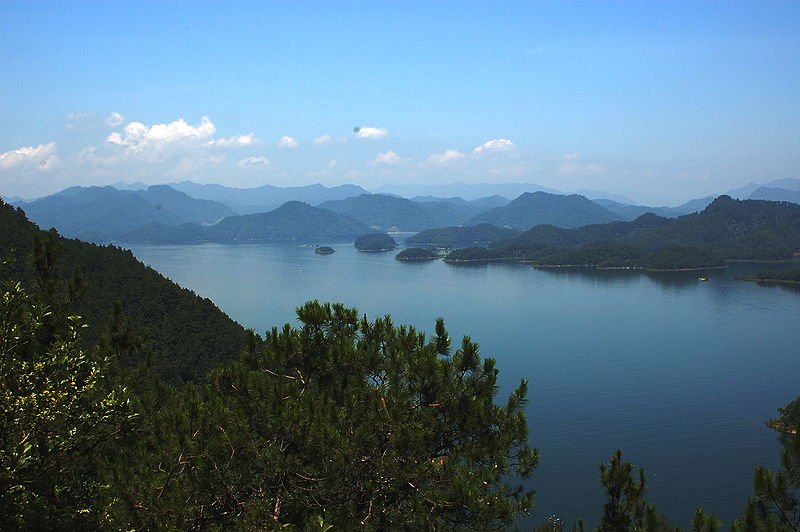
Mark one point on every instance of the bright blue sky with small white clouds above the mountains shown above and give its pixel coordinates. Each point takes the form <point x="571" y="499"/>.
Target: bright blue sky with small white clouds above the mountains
<point x="657" y="101"/>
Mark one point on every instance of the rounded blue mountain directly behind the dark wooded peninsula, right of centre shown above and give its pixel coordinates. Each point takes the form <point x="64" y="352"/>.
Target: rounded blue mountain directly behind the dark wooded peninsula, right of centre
<point x="537" y="208"/>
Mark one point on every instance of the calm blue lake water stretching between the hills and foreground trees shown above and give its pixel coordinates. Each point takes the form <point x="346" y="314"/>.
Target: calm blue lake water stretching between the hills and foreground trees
<point x="678" y="373"/>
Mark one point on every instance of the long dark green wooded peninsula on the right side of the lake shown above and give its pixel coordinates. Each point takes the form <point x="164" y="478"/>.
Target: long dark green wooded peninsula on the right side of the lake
<point x="726" y="230"/>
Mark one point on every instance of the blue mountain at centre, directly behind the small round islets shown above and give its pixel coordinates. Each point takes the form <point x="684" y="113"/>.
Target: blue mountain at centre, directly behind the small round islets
<point x="383" y="212"/>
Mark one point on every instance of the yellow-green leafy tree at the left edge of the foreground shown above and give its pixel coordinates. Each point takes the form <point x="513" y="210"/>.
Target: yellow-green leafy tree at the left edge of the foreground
<point x="58" y="411"/>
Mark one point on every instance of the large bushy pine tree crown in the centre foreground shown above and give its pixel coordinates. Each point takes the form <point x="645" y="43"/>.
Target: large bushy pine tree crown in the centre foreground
<point x="361" y="422"/>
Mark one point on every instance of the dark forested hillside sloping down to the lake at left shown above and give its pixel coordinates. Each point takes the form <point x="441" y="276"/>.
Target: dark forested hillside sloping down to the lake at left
<point x="187" y="334"/>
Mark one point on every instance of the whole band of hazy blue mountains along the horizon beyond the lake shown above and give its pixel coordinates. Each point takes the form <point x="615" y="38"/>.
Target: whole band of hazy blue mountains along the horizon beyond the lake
<point x="213" y="213"/>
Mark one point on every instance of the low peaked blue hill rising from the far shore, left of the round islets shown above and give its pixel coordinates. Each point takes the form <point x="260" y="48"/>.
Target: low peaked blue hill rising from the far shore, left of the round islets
<point x="292" y="221"/>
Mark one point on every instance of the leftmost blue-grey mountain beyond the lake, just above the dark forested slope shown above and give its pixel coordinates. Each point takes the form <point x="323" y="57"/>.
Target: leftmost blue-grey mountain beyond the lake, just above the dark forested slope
<point x="102" y="214"/>
